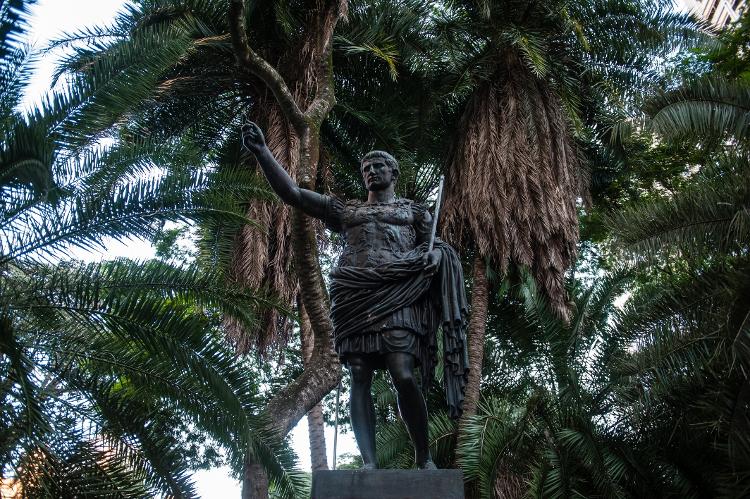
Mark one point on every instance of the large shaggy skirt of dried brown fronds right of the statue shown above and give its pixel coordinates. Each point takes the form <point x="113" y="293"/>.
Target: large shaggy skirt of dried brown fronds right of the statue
<point x="512" y="183"/>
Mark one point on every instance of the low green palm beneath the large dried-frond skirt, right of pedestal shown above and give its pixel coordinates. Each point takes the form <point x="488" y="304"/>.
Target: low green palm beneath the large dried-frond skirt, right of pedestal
<point x="547" y="431"/>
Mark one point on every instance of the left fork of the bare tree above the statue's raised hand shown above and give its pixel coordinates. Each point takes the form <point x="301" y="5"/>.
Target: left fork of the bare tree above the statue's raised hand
<point x="255" y="64"/>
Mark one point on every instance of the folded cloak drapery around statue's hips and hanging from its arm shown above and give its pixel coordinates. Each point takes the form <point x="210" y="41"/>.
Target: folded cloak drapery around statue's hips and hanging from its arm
<point x="364" y="296"/>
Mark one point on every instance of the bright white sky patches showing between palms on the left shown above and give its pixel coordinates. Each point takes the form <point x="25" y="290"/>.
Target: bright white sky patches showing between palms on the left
<point x="49" y="20"/>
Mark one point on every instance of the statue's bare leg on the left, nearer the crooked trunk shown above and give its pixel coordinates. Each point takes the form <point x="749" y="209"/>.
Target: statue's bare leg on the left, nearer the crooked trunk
<point x="362" y="409"/>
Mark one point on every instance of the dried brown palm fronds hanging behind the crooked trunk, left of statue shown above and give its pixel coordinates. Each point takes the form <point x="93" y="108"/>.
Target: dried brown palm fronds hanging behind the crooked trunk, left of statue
<point x="264" y="258"/>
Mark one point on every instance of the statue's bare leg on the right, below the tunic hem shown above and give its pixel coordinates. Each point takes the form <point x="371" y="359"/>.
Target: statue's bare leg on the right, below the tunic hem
<point x="411" y="404"/>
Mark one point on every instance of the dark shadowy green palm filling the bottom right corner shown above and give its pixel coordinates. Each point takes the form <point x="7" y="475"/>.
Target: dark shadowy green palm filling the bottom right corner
<point x="685" y="400"/>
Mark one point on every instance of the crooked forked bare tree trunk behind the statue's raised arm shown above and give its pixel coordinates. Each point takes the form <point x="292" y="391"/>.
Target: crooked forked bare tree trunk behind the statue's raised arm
<point x="324" y="370"/>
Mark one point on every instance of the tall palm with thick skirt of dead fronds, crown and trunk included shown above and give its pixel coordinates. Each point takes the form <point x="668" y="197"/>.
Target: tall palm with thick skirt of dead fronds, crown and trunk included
<point x="531" y="82"/>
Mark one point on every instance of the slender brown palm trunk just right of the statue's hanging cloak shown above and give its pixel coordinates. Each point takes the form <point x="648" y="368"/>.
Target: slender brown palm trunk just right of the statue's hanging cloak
<point x="477" y="327"/>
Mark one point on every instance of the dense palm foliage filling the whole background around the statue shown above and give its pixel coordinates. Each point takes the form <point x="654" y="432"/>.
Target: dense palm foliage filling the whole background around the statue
<point x="614" y="130"/>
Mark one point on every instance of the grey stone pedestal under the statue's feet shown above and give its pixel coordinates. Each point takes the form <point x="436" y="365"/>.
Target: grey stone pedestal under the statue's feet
<point x="388" y="484"/>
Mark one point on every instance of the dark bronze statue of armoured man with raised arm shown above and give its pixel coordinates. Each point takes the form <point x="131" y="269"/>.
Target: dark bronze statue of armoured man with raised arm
<point x="389" y="294"/>
